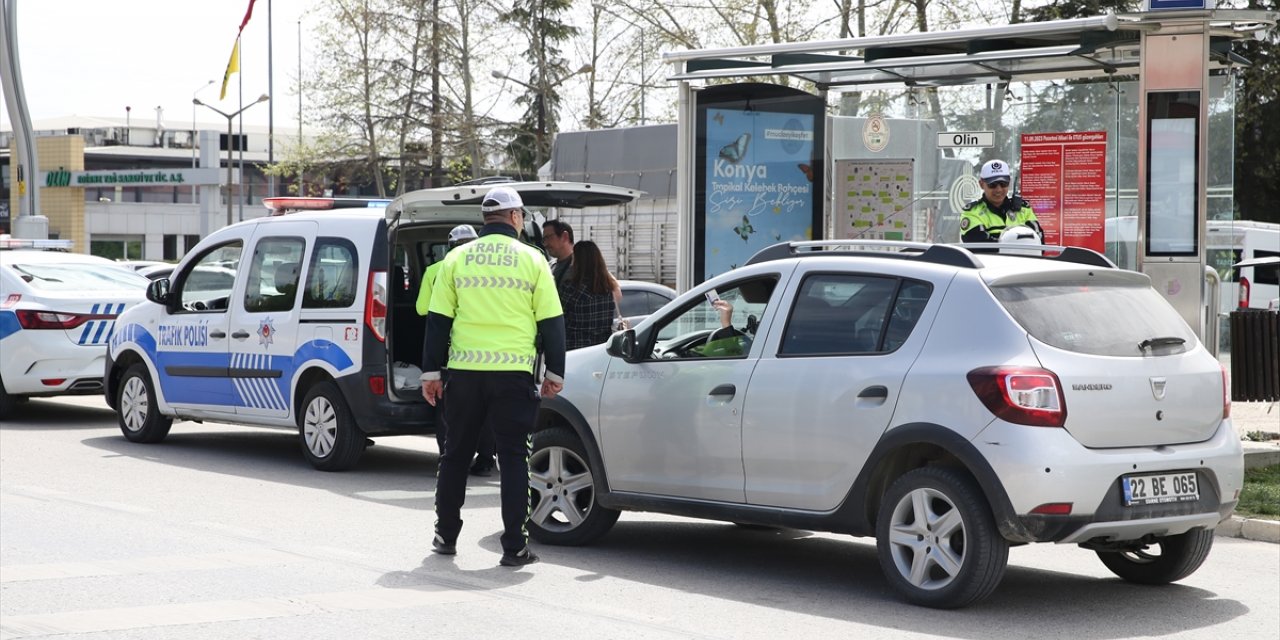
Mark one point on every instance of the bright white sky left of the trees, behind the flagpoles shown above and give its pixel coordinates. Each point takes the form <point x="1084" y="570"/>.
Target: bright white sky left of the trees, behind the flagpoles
<point x="94" y="58"/>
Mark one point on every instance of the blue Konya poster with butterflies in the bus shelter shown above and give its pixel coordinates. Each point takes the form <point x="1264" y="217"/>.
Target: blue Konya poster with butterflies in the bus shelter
<point x="760" y="184"/>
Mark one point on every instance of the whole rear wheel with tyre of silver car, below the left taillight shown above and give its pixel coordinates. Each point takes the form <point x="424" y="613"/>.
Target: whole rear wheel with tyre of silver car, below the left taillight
<point x="938" y="541"/>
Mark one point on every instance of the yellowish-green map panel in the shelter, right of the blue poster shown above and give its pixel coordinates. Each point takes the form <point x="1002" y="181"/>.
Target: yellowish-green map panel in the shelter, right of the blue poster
<point x="874" y="199"/>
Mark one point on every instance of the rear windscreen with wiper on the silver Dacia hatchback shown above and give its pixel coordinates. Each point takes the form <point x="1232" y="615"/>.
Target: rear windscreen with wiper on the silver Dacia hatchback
<point x="1101" y="321"/>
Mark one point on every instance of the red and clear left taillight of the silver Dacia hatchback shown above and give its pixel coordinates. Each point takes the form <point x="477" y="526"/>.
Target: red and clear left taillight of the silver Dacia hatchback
<point x="1025" y="396"/>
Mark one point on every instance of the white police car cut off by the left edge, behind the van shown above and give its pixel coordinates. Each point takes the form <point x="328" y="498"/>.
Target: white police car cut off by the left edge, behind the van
<point x="57" y="313"/>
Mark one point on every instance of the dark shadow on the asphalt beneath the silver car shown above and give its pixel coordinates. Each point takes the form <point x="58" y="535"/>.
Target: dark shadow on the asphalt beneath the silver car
<point x="842" y="579"/>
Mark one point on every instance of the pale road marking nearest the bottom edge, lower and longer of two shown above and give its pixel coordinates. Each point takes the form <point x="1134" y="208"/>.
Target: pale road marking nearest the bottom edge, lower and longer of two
<point x="226" y="611"/>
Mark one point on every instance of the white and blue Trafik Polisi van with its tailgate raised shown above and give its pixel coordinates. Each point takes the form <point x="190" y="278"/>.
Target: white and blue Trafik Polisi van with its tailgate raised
<point x="317" y="331"/>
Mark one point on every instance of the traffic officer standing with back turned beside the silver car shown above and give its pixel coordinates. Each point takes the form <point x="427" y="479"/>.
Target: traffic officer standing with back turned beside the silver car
<point x="492" y="300"/>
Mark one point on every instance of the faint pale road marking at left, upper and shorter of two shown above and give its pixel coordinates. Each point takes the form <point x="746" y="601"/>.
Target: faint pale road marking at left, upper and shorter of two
<point x="153" y="565"/>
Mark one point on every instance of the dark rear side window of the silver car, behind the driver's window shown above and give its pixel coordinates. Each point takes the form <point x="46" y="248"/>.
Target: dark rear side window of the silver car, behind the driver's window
<point x="844" y="314"/>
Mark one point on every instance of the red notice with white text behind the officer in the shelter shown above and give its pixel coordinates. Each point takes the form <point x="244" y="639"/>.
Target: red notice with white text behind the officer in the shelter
<point x="1064" y="179"/>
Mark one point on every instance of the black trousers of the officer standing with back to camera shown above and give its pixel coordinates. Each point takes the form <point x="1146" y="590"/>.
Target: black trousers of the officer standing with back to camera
<point x="506" y="404"/>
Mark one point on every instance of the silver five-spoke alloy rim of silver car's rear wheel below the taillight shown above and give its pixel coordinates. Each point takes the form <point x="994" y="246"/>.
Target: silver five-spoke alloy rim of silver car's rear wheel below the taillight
<point x="927" y="540"/>
